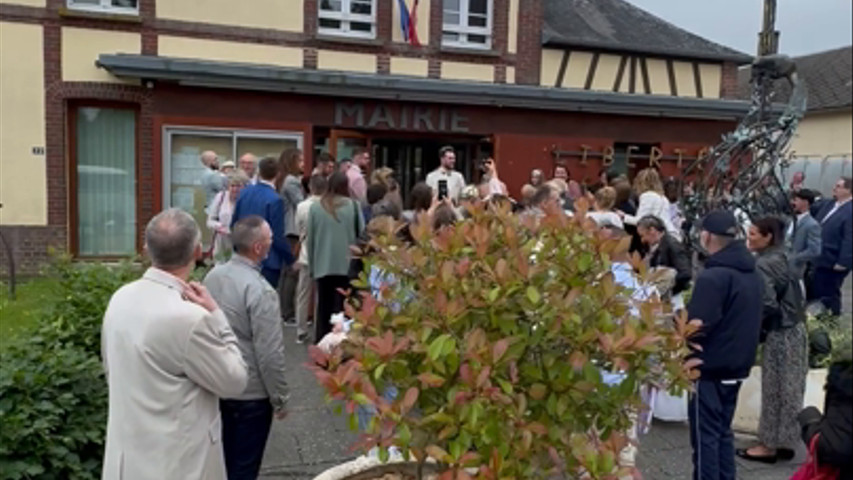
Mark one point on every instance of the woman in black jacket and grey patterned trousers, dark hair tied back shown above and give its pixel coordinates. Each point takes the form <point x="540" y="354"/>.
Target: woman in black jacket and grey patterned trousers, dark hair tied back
<point x="784" y="362"/>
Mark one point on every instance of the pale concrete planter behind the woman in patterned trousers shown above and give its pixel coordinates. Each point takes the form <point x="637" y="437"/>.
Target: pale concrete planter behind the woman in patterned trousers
<point x="749" y="401"/>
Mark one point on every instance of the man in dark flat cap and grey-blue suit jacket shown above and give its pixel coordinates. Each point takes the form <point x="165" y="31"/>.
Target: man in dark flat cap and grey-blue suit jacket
<point x="803" y="232"/>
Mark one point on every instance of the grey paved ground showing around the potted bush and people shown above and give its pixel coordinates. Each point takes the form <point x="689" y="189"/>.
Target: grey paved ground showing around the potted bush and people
<point x="313" y="438"/>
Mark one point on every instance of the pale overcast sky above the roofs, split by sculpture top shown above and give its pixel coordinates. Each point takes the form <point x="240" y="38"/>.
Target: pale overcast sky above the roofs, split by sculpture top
<point x="806" y="26"/>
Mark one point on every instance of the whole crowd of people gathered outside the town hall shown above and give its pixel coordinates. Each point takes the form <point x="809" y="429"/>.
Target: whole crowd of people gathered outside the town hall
<point x="282" y="241"/>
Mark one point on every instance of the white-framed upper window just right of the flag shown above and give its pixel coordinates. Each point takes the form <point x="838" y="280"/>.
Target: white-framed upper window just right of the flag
<point x="467" y="24"/>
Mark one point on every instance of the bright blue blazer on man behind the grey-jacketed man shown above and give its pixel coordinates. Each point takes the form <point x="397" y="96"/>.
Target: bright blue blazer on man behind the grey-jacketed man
<point x="263" y="201"/>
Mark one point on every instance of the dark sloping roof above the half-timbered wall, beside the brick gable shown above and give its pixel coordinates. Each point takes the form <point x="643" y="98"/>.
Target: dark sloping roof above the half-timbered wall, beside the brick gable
<point x="619" y="25"/>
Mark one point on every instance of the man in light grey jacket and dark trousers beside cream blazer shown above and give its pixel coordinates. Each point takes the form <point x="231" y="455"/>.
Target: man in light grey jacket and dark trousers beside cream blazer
<point x="252" y="307"/>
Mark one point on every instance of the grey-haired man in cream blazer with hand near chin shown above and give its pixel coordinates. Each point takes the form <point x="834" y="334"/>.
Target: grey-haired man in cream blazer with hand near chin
<point x="169" y="355"/>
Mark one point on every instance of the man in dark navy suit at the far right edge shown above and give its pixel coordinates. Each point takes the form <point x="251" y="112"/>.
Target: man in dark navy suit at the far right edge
<point x="836" y="256"/>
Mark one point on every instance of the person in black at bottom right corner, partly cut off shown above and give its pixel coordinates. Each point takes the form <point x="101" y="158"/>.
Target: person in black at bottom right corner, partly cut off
<point x="835" y="426"/>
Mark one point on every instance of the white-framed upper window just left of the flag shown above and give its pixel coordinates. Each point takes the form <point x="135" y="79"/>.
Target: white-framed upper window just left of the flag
<point x="351" y="18"/>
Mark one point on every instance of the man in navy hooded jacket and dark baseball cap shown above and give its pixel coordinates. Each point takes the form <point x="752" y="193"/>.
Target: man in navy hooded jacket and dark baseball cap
<point x="727" y="298"/>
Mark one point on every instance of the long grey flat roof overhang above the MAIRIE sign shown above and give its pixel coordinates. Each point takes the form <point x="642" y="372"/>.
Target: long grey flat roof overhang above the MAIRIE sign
<point x="241" y="76"/>
